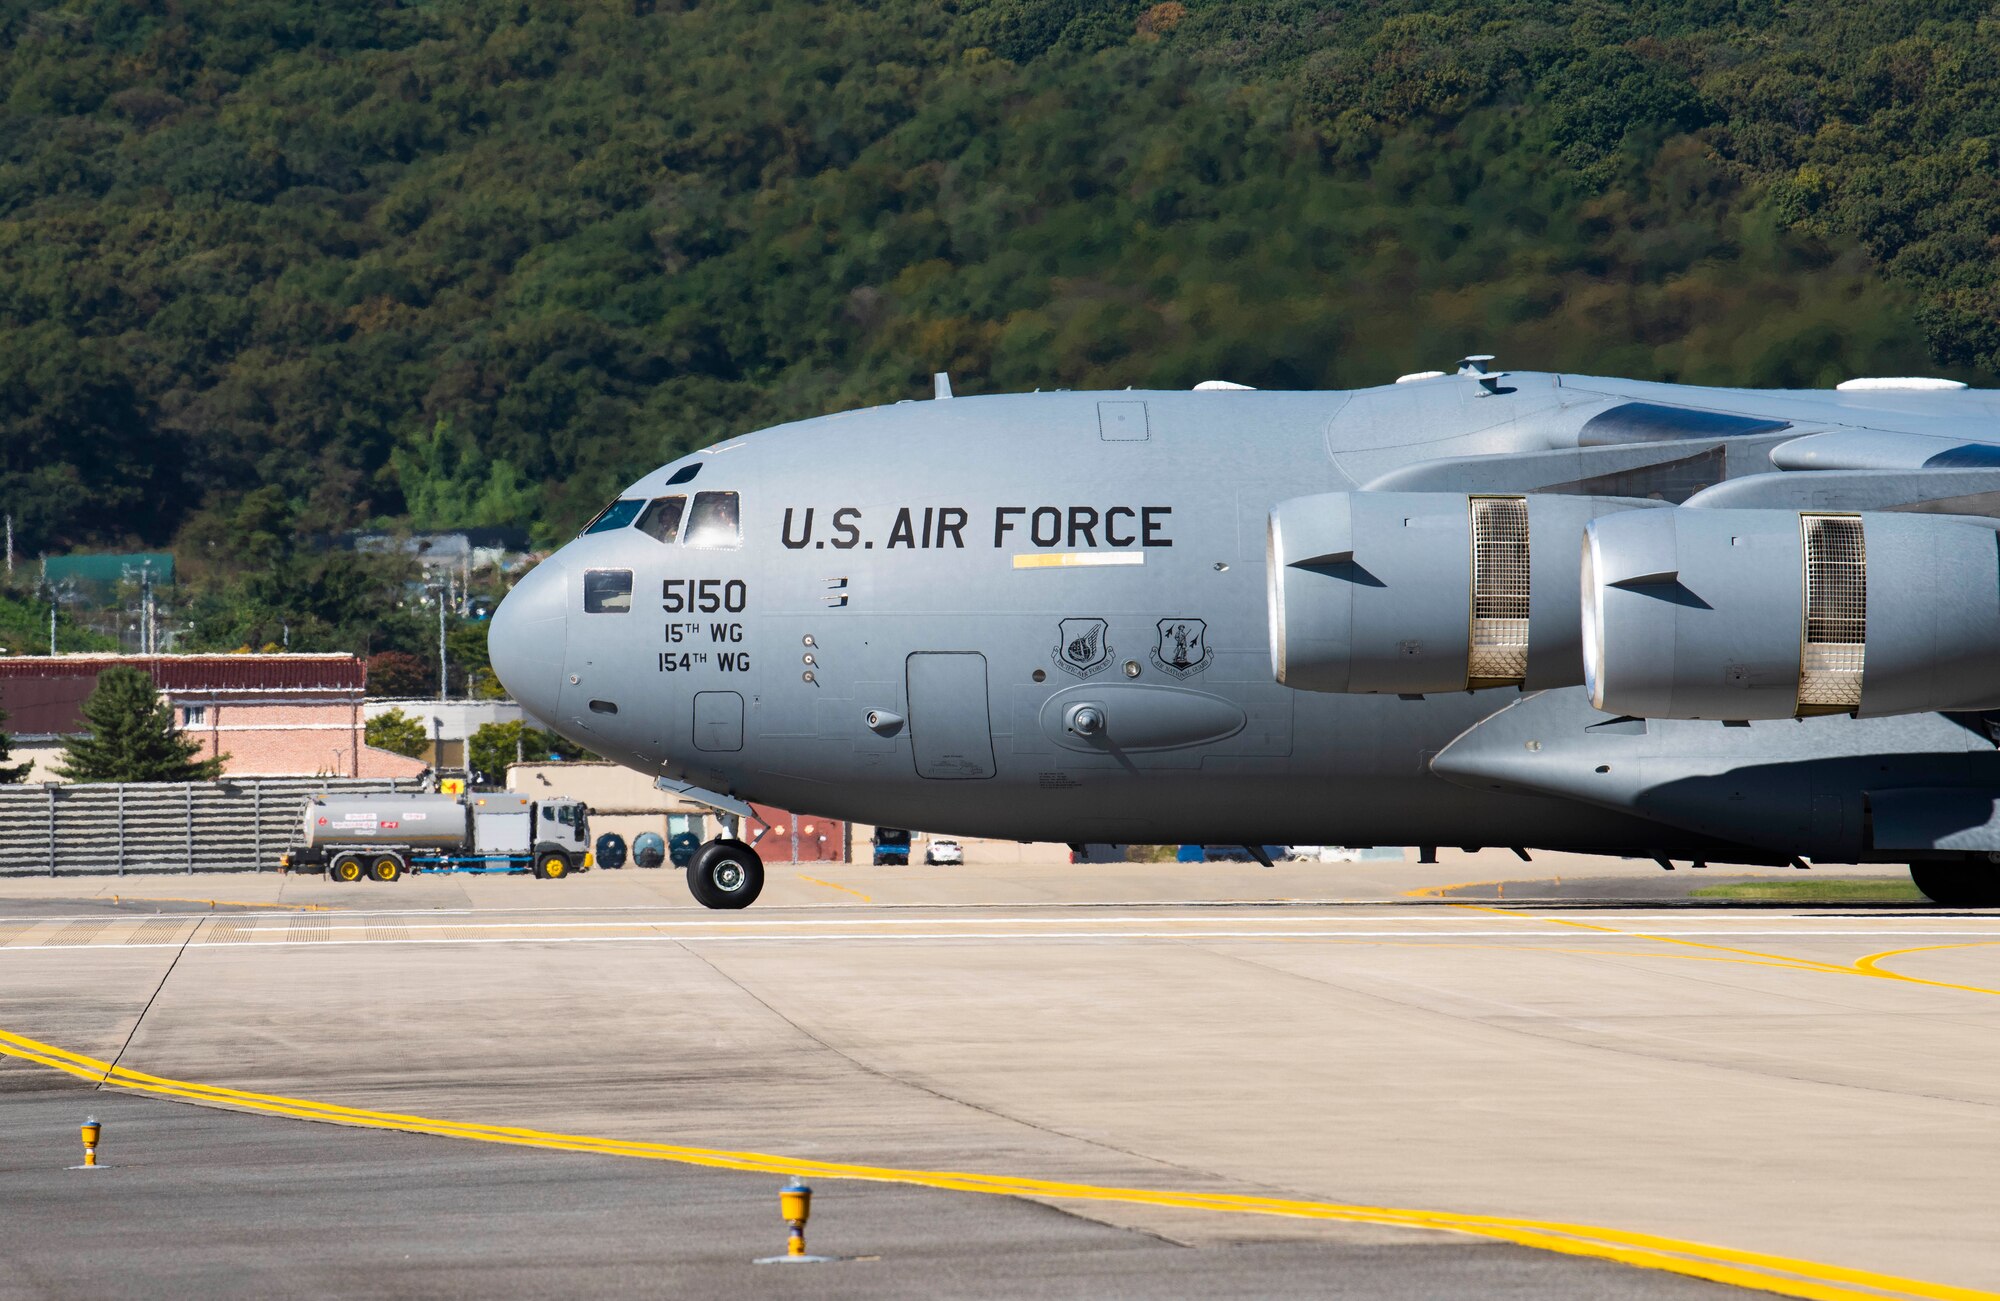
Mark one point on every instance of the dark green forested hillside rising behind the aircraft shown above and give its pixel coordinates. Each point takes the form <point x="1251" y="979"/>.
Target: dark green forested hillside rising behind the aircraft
<point x="277" y="267"/>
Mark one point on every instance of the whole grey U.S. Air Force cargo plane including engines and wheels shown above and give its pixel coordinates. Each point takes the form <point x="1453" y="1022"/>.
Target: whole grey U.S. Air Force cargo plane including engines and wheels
<point x="1535" y="611"/>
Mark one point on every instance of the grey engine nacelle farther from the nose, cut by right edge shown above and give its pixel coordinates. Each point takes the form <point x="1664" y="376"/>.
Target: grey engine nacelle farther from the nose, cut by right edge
<point x="1791" y="613"/>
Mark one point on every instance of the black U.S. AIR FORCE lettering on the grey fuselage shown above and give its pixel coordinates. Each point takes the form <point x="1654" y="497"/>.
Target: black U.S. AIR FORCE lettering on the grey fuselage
<point x="945" y="527"/>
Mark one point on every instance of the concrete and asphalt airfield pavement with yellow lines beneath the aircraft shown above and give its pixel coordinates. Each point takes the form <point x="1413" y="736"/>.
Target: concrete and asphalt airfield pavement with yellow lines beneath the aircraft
<point x="1363" y="1080"/>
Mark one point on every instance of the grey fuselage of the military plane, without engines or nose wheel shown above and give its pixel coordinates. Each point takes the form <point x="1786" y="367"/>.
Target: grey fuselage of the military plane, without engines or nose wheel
<point x="1047" y="617"/>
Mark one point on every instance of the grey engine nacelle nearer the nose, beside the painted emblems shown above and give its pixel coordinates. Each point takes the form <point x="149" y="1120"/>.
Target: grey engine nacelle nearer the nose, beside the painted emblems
<point x="1429" y="591"/>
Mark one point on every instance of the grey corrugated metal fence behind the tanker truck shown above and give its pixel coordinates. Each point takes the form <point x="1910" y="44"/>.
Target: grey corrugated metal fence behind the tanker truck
<point x="197" y="828"/>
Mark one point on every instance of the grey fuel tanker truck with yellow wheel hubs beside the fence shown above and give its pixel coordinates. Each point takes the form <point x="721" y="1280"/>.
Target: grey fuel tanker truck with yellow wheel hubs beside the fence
<point x="387" y="836"/>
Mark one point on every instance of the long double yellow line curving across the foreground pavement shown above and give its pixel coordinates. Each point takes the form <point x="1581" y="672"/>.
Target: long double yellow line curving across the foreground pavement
<point x="1775" y="1274"/>
